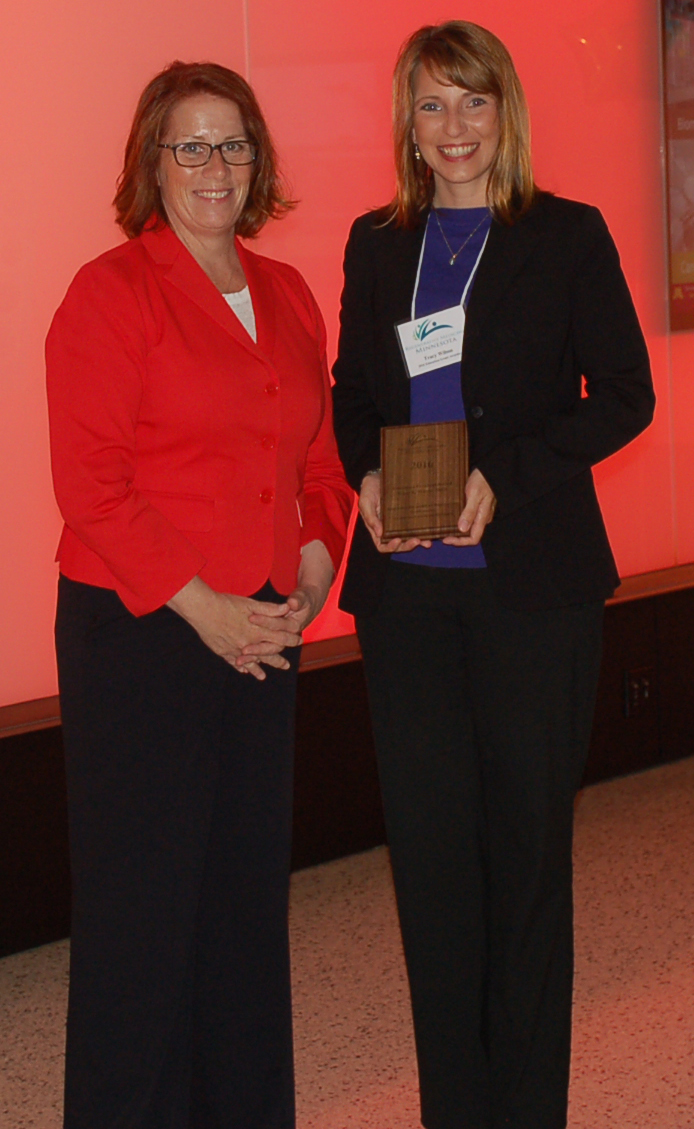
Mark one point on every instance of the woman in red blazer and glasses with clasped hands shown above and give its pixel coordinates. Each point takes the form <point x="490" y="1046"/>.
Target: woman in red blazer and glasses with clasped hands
<point x="206" y="514"/>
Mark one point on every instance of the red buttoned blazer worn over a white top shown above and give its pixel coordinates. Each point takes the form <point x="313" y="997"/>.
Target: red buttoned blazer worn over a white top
<point x="181" y="448"/>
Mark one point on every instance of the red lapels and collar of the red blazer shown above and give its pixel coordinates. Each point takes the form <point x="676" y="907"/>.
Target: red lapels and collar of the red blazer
<point x="186" y="274"/>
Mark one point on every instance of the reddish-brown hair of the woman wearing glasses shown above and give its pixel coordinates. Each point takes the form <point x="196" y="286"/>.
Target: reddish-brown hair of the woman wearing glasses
<point x="138" y="198"/>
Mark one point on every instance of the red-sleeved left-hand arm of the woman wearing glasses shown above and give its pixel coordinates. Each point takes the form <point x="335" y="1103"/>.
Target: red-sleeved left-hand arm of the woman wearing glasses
<point x="95" y="363"/>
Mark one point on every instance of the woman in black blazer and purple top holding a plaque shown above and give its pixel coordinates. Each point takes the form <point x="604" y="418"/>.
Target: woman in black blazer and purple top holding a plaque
<point x="482" y="653"/>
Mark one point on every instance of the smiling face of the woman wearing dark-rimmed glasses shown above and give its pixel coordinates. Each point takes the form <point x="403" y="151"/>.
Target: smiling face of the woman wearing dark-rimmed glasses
<point x="206" y="202"/>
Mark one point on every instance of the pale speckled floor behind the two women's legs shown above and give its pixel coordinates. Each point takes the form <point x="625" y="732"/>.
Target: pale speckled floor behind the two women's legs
<point x="635" y="987"/>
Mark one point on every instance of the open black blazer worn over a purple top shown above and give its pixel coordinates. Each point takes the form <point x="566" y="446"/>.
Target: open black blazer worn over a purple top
<point x="549" y="307"/>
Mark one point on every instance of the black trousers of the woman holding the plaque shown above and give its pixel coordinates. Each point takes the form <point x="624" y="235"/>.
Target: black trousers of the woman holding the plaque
<point x="482" y="719"/>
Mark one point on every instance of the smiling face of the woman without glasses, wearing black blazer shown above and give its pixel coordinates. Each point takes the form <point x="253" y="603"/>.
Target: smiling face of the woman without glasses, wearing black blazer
<point x="458" y="134"/>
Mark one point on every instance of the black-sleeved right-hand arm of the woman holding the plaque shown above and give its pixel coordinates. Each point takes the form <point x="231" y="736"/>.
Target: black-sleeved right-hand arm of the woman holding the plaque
<point x="611" y="353"/>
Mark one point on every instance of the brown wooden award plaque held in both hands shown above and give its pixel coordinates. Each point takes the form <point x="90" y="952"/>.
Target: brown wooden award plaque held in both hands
<point x="425" y="469"/>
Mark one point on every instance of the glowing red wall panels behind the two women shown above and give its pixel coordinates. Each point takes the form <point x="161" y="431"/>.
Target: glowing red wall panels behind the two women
<point x="71" y="76"/>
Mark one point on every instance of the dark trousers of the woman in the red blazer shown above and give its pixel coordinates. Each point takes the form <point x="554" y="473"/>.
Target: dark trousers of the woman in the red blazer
<point x="180" y="777"/>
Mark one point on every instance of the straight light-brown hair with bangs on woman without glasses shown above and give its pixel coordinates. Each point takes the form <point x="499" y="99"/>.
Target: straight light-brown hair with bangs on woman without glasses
<point x="470" y="57"/>
